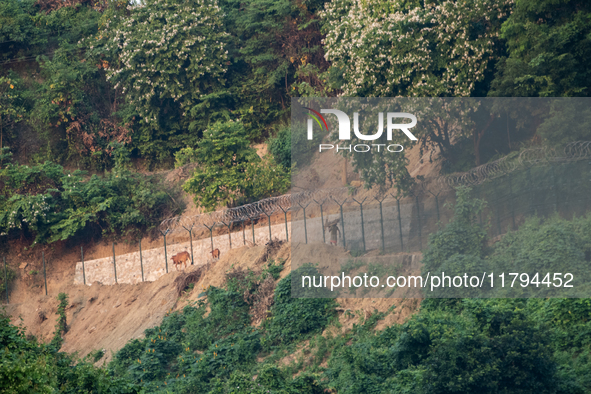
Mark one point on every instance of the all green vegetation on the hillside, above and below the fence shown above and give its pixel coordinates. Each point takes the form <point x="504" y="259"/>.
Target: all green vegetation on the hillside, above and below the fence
<point x="109" y="86"/>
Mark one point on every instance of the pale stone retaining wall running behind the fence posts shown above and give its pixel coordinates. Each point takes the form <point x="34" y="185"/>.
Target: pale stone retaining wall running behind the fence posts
<point x="154" y="264"/>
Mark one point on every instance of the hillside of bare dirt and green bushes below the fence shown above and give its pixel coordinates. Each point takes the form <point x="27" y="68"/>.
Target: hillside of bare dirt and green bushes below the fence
<point x="250" y="335"/>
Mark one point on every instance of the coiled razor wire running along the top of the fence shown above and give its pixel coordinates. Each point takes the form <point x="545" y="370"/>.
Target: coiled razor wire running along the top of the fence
<point x="579" y="150"/>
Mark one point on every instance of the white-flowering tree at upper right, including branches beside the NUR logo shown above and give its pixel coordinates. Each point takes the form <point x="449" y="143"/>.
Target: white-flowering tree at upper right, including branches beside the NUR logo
<point x="402" y="48"/>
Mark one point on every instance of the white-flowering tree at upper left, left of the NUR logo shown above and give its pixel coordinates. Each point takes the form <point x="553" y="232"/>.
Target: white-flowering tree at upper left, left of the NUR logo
<point x="168" y="57"/>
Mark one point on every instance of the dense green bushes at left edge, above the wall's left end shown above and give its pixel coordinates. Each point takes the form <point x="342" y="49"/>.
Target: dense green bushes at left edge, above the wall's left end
<point x="50" y="204"/>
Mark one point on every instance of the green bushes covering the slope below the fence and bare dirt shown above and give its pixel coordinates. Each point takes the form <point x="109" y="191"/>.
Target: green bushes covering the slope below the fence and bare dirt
<point x="449" y="345"/>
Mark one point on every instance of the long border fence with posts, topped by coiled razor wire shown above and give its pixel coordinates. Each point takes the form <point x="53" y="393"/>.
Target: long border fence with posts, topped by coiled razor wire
<point x="538" y="181"/>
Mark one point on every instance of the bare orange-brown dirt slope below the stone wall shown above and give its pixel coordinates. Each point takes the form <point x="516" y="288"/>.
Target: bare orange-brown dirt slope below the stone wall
<point x="107" y="317"/>
